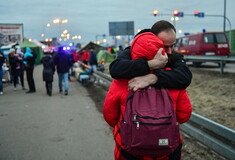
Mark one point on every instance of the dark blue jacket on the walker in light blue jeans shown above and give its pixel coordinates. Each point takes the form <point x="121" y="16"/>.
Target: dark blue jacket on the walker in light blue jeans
<point x="62" y="60"/>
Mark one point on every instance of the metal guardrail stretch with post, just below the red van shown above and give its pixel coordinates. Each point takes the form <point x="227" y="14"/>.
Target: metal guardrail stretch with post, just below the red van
<point x="219" y="59"/>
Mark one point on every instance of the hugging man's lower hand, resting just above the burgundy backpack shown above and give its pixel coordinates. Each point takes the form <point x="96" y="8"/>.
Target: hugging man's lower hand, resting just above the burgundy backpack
<point x="141" y="82"/>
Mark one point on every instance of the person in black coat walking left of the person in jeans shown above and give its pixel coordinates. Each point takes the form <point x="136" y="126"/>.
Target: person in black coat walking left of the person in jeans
<point x="48" y="71"/>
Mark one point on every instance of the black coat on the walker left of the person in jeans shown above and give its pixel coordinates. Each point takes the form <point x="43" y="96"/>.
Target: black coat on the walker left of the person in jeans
<point x="48" y="68"/>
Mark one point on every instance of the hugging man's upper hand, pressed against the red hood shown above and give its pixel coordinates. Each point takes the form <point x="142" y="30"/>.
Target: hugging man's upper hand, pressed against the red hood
<point x="159" y="61"/>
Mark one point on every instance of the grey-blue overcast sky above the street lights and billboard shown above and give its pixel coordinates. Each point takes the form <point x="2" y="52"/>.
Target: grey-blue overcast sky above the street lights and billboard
<point x="89" y="18"/>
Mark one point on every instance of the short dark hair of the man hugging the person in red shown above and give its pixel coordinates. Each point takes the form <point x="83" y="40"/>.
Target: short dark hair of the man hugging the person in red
<point x="162" y="25"/>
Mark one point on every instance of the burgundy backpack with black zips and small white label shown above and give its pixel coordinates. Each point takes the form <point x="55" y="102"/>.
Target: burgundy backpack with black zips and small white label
<point x="149" y="126"/>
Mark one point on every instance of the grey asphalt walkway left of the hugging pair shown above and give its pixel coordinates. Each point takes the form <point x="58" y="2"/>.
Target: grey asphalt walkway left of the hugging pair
<point x="38" y="127"/>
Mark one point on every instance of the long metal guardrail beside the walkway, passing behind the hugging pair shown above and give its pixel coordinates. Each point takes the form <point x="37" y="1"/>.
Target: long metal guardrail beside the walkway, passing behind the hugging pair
<point x="217" y="137"/>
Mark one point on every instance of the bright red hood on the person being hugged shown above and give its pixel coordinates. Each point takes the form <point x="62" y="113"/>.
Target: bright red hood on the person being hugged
<point x="145" y="45"/>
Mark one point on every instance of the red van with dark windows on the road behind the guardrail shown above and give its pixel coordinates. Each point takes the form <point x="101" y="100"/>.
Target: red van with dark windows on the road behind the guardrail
<point x="206" y="43"/>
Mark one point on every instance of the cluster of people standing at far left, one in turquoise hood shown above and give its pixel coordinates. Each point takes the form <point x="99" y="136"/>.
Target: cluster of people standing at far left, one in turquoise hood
<point x="19" y="62"/>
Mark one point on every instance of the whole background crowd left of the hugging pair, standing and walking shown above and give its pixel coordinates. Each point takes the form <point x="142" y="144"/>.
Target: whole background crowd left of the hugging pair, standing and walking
<point x="20" y="62"/>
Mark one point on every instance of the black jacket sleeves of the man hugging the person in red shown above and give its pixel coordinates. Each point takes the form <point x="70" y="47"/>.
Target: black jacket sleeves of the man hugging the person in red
<point x="178" y="78"/>
